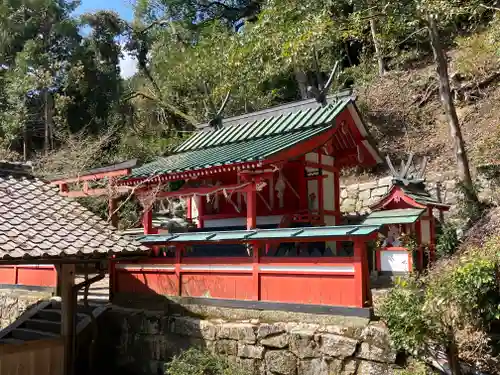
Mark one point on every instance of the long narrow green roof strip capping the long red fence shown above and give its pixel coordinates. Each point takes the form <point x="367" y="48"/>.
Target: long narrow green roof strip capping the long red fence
<point x="285" y="234"/>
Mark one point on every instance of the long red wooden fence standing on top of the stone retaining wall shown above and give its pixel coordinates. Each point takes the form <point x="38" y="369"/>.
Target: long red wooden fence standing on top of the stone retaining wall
<point x="337" y="281"/>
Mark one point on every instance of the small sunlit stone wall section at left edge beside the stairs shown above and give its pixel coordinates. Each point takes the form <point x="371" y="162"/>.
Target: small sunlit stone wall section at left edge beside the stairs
<point x="14" y="302"/>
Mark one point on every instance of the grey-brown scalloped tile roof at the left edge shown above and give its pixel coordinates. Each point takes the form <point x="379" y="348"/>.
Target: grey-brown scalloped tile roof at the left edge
<point x="37" y="223"/>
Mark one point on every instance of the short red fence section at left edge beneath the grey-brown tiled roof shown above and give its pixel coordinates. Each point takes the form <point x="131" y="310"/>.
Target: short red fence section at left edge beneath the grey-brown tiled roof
<point x="44" y="275"/>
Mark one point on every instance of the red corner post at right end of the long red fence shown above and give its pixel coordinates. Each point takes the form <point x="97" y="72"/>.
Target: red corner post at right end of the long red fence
<point x="361" y="278"/>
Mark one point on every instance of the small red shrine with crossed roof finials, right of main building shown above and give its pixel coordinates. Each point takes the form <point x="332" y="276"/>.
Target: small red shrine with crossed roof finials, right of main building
<point x="406" y="213"/>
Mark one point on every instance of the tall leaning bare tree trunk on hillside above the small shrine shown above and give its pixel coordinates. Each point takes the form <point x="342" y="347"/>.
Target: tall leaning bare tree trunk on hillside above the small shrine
<point x="451" y="113"/>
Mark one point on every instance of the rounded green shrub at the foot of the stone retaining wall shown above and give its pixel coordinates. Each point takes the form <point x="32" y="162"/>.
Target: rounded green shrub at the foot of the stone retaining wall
<point x="197" y="362"/>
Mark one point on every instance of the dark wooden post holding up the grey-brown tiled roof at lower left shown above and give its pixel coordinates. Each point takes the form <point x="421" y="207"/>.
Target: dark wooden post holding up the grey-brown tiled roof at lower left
<point x="68" y="312"/>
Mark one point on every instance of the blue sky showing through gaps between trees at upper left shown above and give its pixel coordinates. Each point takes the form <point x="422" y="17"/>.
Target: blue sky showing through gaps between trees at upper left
<point x="128" y="65"/>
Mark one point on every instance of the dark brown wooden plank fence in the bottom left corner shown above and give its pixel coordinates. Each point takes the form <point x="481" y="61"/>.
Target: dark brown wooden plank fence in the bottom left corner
<point x="39" y="357"/>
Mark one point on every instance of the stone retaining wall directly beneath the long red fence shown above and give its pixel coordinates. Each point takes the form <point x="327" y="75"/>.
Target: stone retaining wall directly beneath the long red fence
<point x="146" y="340"/>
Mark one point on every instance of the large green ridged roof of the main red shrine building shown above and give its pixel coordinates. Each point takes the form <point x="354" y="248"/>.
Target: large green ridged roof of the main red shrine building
<point x="246" y="142"/>
